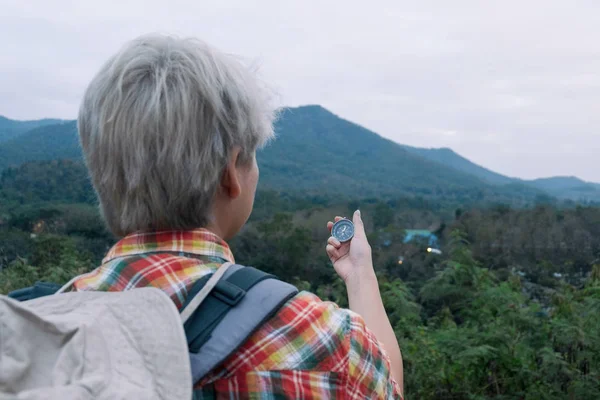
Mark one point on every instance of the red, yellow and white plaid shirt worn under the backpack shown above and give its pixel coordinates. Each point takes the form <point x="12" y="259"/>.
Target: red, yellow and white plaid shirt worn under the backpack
<point x="310" y="350"/>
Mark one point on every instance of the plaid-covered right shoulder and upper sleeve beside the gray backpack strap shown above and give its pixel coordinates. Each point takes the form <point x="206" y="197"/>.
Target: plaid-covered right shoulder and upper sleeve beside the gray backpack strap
<point x="311" y="335"/>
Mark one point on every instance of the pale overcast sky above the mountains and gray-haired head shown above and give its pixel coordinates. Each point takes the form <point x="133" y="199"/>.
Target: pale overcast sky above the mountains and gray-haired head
<point x="512" y="85"/>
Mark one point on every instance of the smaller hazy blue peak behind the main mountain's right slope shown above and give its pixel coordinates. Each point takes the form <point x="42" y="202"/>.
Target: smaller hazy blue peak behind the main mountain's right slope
<point x="450" y="158"/>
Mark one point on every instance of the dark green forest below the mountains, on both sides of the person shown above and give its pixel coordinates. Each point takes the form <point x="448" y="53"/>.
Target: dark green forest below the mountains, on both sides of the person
<point x="510" y="309"/>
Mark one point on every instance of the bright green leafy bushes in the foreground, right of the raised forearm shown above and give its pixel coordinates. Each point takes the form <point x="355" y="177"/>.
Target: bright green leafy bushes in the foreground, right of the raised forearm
<point x="490" y="341"/>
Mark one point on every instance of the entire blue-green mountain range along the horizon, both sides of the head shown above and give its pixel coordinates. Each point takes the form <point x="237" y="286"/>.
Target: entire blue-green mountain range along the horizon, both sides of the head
<point x="318" y="152"/>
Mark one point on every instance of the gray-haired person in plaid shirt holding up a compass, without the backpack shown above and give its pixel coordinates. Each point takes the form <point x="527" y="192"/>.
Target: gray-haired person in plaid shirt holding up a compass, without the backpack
<point x="169" y="129"/>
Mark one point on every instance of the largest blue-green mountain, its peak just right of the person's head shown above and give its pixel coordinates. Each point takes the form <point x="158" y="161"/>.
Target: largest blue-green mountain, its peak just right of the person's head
<point x="317" y="150"/>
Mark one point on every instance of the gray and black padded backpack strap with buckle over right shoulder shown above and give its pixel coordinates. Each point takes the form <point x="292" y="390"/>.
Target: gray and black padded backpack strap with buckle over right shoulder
<point x="243" y="300"/>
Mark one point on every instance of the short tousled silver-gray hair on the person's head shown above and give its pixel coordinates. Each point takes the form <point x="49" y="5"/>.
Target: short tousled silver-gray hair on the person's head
<point x="157" y="125"/>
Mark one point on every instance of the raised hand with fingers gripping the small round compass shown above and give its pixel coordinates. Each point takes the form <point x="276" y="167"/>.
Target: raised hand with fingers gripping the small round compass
<point x="353" y="258"/>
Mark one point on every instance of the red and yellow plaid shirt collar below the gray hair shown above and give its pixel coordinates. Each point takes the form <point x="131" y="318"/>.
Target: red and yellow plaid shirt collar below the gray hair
<point x="199" y="242"/>
